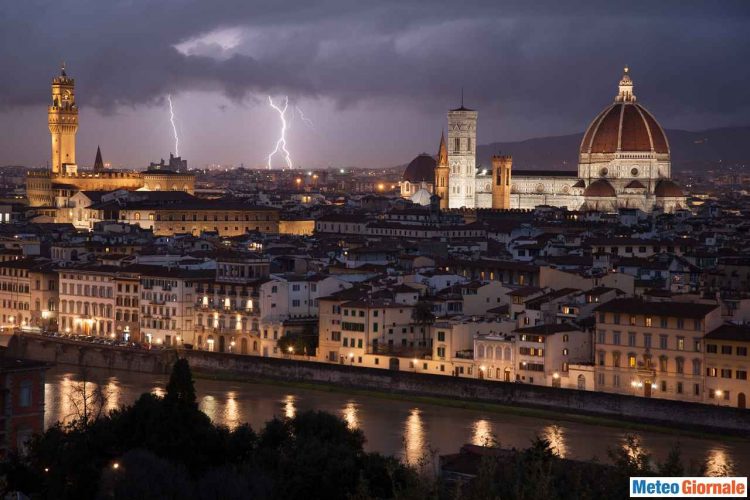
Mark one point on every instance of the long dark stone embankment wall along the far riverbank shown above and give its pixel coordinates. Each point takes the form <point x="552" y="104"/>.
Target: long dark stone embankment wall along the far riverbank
<point x="239" y="367"/>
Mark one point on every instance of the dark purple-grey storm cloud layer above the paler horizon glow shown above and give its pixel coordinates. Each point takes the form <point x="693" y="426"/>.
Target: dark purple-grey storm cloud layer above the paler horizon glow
<point x="525" y="58"/>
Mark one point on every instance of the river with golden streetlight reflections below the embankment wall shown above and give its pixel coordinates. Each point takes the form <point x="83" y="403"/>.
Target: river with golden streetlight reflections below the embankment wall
<point x="409" y="430"/>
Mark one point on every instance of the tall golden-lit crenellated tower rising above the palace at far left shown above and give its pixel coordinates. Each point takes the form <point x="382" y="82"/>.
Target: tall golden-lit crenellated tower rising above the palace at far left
<point x="62" y="118"/>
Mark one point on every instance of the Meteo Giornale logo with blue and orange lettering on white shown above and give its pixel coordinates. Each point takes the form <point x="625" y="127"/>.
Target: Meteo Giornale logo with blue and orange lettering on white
<point x="688" y="487"/>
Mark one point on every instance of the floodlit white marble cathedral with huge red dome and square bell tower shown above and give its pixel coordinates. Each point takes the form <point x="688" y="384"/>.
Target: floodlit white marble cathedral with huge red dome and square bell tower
<point x="624" y="162"/>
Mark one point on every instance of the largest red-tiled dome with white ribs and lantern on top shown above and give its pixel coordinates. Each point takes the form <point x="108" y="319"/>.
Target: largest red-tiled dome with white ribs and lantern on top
<point x="624" y="126"/>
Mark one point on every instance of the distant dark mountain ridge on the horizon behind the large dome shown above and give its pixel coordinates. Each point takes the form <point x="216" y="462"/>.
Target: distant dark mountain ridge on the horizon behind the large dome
<point x="689" y="149"/>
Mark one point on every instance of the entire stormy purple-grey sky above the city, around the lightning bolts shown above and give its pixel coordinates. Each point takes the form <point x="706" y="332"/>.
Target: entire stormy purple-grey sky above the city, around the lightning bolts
<point x="375" y="77"/>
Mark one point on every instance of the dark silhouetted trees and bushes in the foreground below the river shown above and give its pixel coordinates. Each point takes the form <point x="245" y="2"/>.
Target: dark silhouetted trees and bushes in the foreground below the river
<point x="166" y="448"/>
